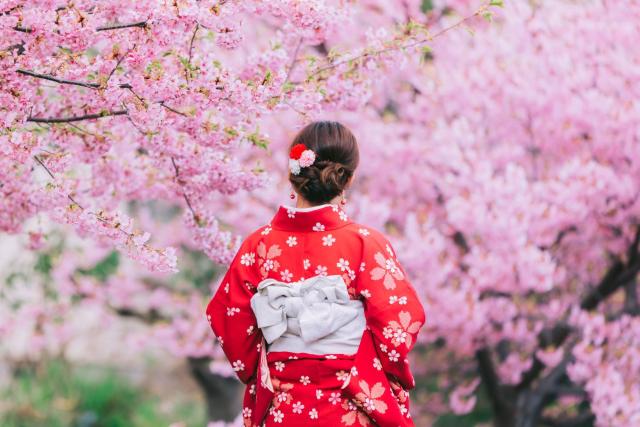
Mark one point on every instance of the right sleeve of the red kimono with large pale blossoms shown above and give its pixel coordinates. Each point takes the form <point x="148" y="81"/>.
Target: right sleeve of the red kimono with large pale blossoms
<point x="393" y="310"/>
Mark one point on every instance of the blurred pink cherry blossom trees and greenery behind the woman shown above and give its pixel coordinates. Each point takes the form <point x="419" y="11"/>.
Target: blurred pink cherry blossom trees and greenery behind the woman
<point x="500" y="153"/>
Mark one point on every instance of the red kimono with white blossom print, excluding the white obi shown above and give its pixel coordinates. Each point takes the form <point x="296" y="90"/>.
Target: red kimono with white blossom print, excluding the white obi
<point x="365" y="388"/>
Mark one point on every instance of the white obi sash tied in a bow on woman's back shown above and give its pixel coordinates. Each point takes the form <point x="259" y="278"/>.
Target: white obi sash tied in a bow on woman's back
<point x="314" y="315"/>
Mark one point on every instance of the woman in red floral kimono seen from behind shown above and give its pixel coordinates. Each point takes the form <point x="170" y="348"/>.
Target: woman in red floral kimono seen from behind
<point x="315" y="314"/>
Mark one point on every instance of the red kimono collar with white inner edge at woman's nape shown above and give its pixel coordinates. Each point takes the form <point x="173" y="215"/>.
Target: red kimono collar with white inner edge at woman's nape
<point x="315" y="218"/>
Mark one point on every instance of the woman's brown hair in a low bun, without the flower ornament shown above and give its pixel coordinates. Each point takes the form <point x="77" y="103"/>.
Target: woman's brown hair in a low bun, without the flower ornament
<point x="336" y="159"/>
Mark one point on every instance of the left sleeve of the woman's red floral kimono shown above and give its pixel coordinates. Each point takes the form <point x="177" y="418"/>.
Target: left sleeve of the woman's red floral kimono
<point x="231" y="317"/>
